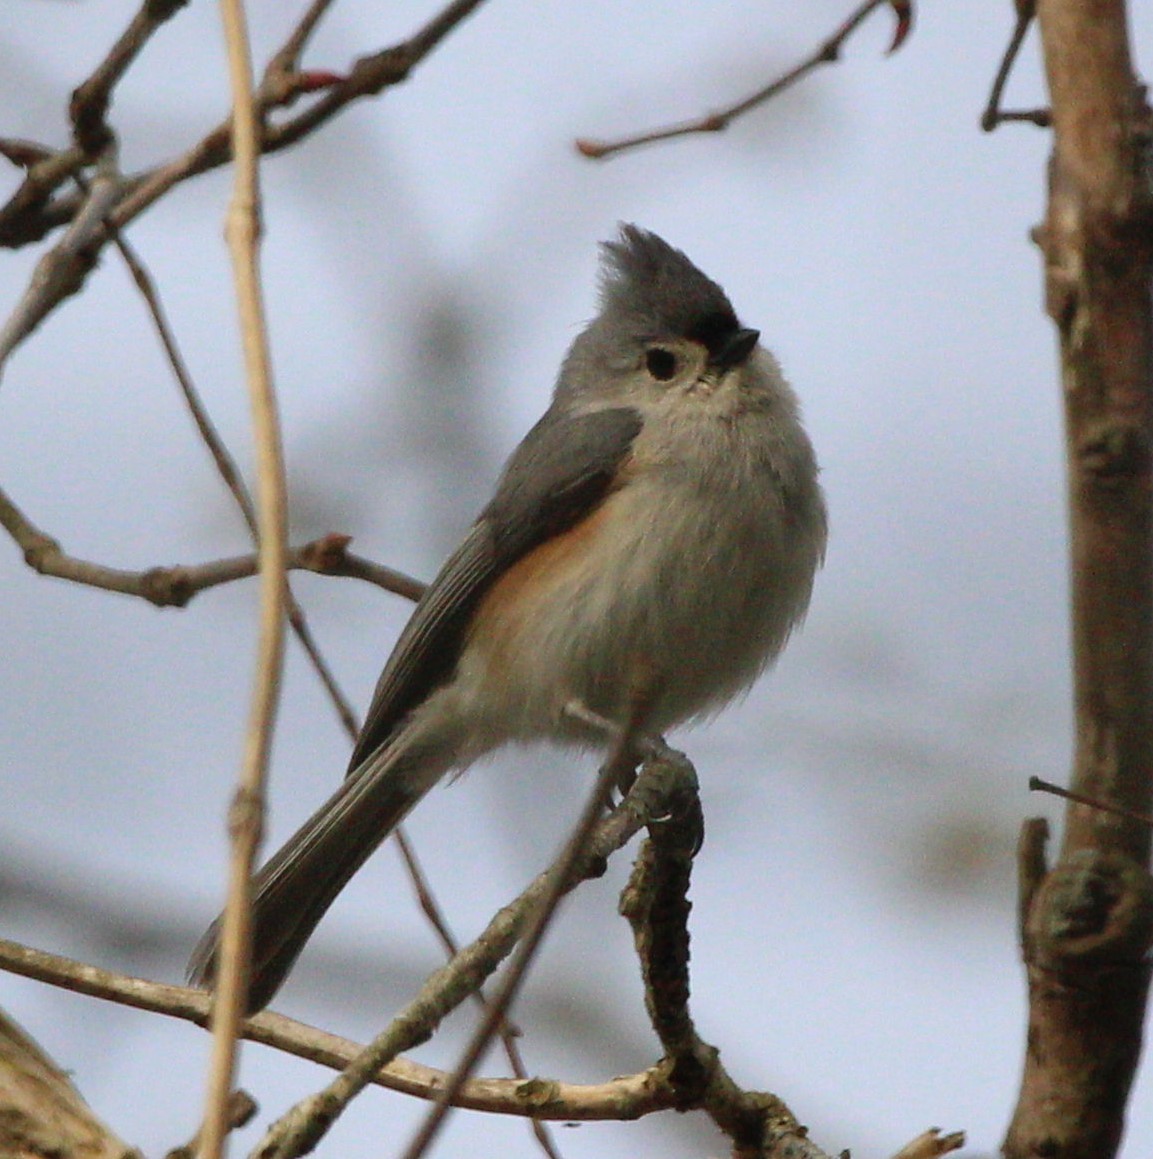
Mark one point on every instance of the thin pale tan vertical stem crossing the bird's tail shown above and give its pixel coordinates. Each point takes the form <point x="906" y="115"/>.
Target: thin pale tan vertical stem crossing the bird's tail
<point x="247" y="812"/>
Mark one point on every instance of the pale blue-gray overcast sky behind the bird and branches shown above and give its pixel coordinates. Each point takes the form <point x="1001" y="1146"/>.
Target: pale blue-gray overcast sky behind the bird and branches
<point x="428" y="258"/>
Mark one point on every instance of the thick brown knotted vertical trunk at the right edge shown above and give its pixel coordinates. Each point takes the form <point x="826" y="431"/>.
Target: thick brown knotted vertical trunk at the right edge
<point x="1086" y="924"/>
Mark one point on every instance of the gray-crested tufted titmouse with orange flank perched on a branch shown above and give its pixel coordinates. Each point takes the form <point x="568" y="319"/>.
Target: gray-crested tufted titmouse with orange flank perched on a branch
<point x="650" y="549"/>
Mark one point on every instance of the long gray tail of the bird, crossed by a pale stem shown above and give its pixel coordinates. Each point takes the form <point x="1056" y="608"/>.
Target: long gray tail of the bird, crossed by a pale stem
<point x="294" y="891"/>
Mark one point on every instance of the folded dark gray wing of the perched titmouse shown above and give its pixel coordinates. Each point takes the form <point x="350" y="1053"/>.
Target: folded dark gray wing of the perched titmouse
<point x="558" y="476"/>
